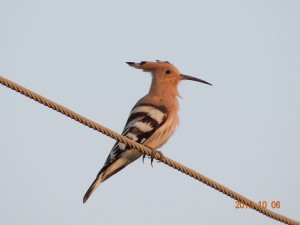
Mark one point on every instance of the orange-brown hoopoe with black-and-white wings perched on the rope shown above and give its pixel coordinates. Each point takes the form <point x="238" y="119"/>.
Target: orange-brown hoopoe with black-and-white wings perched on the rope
<point x="152" y="120"/>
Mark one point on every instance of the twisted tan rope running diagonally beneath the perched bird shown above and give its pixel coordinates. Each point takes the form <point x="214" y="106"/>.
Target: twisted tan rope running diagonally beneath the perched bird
<point x="145" y="150"/>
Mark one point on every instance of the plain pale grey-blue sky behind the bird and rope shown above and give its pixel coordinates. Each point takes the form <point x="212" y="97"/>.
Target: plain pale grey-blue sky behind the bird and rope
<point x="243" y="132"/>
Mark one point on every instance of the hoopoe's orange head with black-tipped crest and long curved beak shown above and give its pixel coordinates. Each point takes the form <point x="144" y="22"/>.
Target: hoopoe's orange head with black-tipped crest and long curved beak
<point x="164" y="71"/>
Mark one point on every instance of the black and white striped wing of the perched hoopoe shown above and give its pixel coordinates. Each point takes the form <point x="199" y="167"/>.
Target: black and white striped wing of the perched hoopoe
<point x="143" y="121"/>
